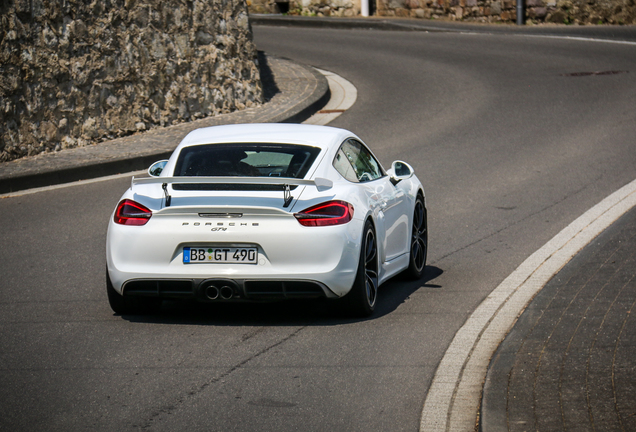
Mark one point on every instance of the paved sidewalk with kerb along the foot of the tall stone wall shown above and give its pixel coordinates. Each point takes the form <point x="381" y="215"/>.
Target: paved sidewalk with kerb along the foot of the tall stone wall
<point x="296" y="92"/>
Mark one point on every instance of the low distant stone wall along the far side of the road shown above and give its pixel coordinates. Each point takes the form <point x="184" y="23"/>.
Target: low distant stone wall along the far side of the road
<point x="537" y="11"/>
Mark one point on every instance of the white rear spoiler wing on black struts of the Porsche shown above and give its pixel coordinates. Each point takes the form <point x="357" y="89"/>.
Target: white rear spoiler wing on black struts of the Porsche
<point x="320" y="183"/>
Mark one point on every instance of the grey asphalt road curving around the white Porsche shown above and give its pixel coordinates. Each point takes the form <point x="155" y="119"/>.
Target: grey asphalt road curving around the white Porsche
<point x="513" y="139"/>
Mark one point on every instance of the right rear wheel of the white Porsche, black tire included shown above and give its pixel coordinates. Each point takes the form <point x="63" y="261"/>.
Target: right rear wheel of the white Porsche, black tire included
<point x="364" y="292"/>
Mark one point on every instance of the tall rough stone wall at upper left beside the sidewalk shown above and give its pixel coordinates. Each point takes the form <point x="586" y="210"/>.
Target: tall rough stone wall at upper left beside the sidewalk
<point x="75" y="72"/>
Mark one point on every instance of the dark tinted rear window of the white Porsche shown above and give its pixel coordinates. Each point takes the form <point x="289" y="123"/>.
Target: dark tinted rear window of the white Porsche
<point x="244" y="160"/>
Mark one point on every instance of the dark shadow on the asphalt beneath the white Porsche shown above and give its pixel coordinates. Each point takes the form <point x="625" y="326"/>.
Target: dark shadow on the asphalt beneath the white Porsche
<point x="393" y="293"/>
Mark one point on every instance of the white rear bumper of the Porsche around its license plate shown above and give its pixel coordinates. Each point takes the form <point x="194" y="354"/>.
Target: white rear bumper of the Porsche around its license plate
<point x="290" y="258"/>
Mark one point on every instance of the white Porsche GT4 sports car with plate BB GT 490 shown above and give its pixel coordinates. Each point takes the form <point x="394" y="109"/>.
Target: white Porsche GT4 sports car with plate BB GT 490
<point x="263" y="212"/>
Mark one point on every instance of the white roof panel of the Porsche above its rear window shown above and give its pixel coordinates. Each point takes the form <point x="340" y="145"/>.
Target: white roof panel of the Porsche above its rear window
<point x="279" y="133"/>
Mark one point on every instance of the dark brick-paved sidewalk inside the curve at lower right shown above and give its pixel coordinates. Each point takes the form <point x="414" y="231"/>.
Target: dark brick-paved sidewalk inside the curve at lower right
<point x="568" y="363"/>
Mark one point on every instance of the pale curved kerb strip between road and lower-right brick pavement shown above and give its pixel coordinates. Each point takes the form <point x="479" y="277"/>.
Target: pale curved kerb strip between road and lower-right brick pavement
<point x="454" y="396"/>
